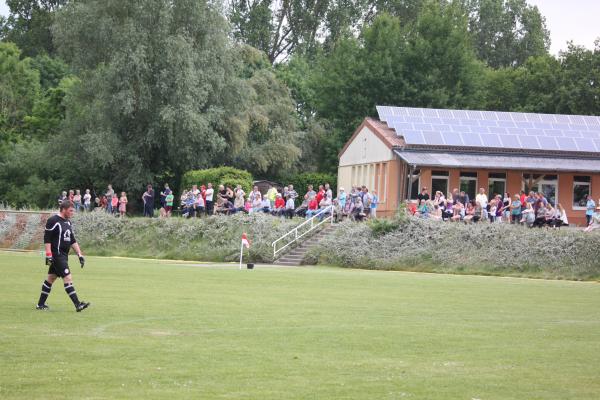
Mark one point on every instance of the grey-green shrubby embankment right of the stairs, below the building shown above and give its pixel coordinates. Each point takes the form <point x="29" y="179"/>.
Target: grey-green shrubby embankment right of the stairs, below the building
<point x="490" y="249"/>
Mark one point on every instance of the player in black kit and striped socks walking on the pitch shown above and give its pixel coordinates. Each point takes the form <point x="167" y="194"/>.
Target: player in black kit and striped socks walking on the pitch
<point x="58" y="240"/>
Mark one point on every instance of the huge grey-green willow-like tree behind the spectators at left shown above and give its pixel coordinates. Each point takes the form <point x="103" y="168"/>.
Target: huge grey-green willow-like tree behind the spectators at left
<point x="158" y="78"/>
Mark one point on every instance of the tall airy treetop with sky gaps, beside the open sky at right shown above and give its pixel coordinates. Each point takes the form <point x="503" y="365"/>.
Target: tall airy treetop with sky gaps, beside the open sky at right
<point x="507" y="32"/>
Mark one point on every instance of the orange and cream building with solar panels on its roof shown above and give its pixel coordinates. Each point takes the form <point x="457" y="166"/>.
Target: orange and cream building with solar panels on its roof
<point x="407" y="149"/>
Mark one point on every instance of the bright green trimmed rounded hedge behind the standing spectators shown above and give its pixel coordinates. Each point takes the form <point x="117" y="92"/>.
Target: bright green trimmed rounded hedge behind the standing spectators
<point x="217" y="176"/>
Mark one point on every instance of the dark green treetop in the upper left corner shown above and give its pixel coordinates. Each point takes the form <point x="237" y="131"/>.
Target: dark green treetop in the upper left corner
<point x="28" y="25"/>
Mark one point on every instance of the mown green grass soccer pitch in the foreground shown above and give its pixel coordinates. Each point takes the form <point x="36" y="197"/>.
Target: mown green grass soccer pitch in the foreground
<point x="164" y="330"/>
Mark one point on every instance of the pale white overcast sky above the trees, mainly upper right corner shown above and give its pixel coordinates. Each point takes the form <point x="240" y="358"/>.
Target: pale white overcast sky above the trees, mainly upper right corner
<point x="575" y="20"/>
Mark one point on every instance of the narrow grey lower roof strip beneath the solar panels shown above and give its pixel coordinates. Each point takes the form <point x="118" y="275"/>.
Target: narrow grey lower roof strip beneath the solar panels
<point x="423" y="158"/>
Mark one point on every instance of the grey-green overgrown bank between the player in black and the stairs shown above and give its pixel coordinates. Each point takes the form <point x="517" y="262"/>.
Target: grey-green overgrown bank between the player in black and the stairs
<point x="214" y="239"/>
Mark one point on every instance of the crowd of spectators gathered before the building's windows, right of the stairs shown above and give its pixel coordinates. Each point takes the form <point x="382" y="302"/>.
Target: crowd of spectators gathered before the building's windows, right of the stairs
<point x="532" y="209"/>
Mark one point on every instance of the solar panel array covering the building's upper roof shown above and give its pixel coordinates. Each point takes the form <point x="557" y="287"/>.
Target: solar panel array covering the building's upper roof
<point x="491" y="129"/>
